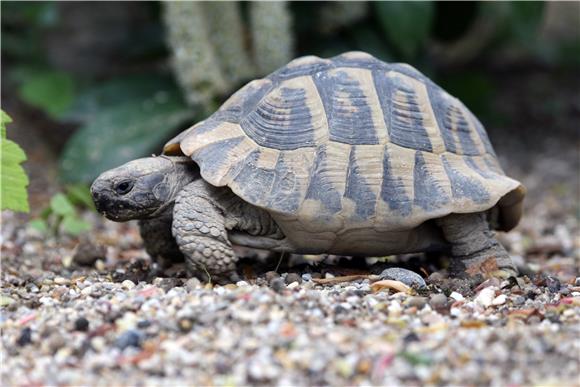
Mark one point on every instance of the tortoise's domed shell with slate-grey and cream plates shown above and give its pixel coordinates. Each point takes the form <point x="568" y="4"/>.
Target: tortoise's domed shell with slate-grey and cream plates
<point x="351" y="142"/>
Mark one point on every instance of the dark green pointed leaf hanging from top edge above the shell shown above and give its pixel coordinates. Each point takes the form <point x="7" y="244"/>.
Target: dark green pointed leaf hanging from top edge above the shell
<point x="407" y="25"/>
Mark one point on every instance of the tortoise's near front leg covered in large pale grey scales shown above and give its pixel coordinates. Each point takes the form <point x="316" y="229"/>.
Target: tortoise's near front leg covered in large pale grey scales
<point x="199" y="229"/>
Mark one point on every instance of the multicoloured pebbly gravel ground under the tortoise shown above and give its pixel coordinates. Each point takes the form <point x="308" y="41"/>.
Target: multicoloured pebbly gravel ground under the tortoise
<point x="124" y="320"/>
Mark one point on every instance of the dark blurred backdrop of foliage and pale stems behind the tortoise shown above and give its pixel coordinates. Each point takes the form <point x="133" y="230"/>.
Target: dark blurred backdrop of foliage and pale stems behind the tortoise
<point x="91" y="85"/>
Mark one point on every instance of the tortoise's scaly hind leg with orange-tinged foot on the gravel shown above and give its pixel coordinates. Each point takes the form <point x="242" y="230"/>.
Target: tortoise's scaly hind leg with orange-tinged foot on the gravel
<point x="474" y="248"/>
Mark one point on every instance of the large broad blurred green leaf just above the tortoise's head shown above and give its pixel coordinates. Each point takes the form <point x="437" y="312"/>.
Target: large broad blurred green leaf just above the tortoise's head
<point x="122" y="126"/>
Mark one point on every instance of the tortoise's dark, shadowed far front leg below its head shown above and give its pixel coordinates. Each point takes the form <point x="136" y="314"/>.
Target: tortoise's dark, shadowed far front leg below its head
<point x="158" y="240"/>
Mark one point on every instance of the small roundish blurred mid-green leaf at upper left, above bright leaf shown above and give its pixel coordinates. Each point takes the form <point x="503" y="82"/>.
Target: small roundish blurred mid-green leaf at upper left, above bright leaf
<point x="51" y="91"/>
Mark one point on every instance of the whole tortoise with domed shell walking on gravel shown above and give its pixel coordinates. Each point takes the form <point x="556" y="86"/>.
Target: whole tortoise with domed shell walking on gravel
<point x="348" y="155"/>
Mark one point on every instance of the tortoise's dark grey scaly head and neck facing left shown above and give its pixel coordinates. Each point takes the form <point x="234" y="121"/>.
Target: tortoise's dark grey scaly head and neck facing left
<point x="142" y="188"/>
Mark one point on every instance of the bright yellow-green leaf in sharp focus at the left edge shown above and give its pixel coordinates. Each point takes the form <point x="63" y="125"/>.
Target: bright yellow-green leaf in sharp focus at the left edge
<point x="14" y="181"/>
